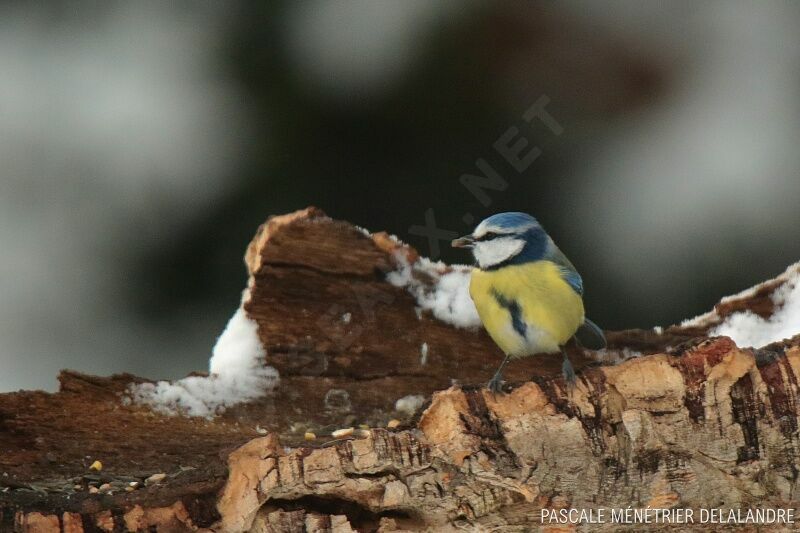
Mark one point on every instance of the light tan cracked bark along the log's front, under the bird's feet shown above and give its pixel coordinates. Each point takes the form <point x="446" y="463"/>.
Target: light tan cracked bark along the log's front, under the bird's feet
<point x="713" y="427"/>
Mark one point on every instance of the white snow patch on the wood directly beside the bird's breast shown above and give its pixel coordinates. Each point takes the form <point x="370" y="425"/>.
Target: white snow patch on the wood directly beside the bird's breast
<point x="446" y="295"/>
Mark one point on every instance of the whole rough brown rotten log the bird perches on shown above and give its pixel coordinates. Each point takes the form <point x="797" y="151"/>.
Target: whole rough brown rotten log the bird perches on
<point x="694" y="422"/>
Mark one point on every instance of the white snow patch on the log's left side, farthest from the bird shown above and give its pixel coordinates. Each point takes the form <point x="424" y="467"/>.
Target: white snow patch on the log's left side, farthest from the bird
<point x="237" y="374"/>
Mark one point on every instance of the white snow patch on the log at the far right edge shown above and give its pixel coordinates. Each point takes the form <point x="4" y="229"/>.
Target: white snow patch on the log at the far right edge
<point x="748" y="329"/>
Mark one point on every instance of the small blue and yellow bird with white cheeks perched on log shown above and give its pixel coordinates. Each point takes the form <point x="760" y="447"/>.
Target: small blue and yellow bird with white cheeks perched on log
<point x="528" y="295"/>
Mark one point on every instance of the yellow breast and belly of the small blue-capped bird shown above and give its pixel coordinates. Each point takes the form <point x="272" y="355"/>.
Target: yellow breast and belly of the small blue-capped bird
<point x="548" y="306"/>
